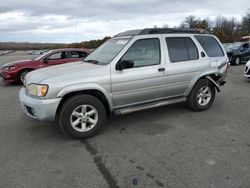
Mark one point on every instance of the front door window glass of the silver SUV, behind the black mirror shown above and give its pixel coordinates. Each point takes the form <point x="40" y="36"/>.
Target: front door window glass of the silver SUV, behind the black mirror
<point x="144" y="52"/>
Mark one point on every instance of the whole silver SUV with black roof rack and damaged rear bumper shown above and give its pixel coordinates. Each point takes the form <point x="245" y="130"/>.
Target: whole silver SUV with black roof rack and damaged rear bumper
<point x="135" y="70"/>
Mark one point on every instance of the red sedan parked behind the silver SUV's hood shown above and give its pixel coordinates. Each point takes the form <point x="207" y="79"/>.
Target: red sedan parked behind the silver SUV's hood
<point x="16" y="71"/>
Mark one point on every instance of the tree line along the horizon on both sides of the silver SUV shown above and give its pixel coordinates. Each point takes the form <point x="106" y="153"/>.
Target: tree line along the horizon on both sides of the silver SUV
<point x="226" y="29"/>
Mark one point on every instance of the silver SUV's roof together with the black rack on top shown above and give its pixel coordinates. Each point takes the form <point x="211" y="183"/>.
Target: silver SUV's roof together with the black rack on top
<point x="149" y="31"/>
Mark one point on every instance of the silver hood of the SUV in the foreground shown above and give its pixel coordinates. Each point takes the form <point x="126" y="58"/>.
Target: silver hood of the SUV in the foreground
<point x="68" y="73"/>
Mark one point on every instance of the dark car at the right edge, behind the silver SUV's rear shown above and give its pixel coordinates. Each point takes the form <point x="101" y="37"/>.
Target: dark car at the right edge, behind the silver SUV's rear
<point x="238" y="52"/>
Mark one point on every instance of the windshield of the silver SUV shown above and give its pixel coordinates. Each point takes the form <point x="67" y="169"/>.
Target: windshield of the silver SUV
<point x="107" y="52"/>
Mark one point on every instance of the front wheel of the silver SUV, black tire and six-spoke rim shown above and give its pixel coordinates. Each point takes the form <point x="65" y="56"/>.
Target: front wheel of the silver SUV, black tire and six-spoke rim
<point x="81" y="116"/>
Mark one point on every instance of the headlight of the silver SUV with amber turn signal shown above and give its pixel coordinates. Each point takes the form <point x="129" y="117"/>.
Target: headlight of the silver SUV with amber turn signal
<point x="38" y="90"/>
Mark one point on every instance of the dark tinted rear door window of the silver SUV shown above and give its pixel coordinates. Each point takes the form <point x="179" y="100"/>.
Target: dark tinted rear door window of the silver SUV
<point x="181" y="49"/>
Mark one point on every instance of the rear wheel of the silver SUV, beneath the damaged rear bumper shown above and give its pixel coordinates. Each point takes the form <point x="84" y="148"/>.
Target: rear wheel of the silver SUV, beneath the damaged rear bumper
<point x="202" y="95"/>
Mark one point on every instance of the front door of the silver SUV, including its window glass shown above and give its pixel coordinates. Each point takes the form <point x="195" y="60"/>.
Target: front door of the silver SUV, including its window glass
<point x="144" y="82"/>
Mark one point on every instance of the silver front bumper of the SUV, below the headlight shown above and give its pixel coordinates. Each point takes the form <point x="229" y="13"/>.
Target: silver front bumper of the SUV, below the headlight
<point x="41" y="109"/>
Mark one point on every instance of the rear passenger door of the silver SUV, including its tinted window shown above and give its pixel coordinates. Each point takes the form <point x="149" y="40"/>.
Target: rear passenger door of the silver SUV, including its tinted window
<point x="183" y="63"/>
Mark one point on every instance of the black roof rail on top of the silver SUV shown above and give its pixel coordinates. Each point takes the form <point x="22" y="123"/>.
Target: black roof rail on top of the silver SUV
<point x="173" y="30"/>
